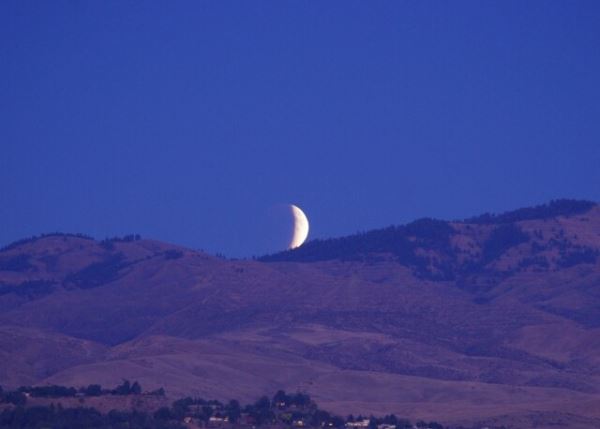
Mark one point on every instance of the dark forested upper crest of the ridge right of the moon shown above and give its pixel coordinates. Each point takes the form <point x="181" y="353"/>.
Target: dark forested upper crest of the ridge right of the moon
<point x="446" y="250"/>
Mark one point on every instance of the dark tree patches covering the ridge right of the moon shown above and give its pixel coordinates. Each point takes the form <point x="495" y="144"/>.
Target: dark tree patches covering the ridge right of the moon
<point x="412" y="244"/>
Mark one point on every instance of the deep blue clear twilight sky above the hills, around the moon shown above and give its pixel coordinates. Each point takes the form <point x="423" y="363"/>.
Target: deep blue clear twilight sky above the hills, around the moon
<point x="186" y="121"/>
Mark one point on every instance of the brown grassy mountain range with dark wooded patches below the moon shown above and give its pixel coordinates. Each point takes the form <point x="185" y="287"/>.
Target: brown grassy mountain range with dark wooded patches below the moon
<point x="490" y="320"/>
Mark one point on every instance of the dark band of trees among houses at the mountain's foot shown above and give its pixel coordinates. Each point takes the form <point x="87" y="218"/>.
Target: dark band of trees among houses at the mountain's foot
<point x="282" y="410"/>
